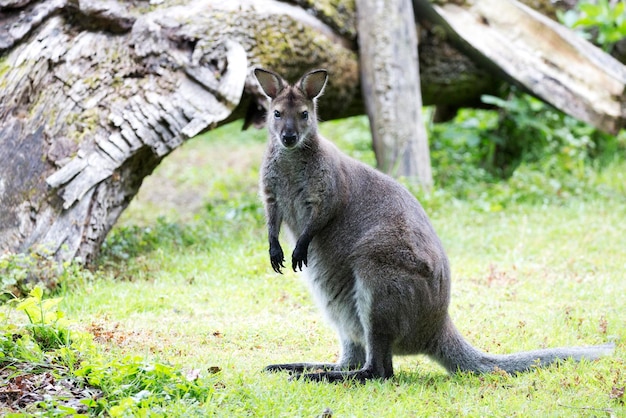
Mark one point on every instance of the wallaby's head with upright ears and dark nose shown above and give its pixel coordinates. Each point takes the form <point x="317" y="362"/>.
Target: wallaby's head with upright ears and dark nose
<point x="292" y="116"/>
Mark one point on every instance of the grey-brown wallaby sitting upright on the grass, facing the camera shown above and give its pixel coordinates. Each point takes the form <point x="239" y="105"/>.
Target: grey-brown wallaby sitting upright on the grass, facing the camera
<point x="374" y="262"/>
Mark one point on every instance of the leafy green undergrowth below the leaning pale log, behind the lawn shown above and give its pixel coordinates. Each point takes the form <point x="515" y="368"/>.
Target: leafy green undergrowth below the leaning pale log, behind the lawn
<point x="524" y="151"/>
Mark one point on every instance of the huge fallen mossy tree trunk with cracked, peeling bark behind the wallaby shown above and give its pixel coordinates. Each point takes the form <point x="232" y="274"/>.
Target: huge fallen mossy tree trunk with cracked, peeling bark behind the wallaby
<point x="94" y="94"/>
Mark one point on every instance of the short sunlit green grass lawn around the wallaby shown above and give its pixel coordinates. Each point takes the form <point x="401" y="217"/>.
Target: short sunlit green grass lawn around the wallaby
<point x="185" y="280"/>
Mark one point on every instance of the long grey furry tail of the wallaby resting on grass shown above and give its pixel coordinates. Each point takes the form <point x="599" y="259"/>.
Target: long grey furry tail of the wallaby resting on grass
<point x="456" y="354"/>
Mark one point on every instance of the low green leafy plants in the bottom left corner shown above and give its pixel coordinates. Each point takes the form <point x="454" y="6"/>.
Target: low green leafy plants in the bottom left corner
<point x="128" y="386"/>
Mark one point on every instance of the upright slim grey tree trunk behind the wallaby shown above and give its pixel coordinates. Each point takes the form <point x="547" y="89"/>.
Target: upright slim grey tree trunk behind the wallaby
<point x="391" y="88"/>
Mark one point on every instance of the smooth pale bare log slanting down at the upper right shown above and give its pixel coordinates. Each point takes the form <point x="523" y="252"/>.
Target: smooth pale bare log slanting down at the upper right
<point x="534" y="52"/>
